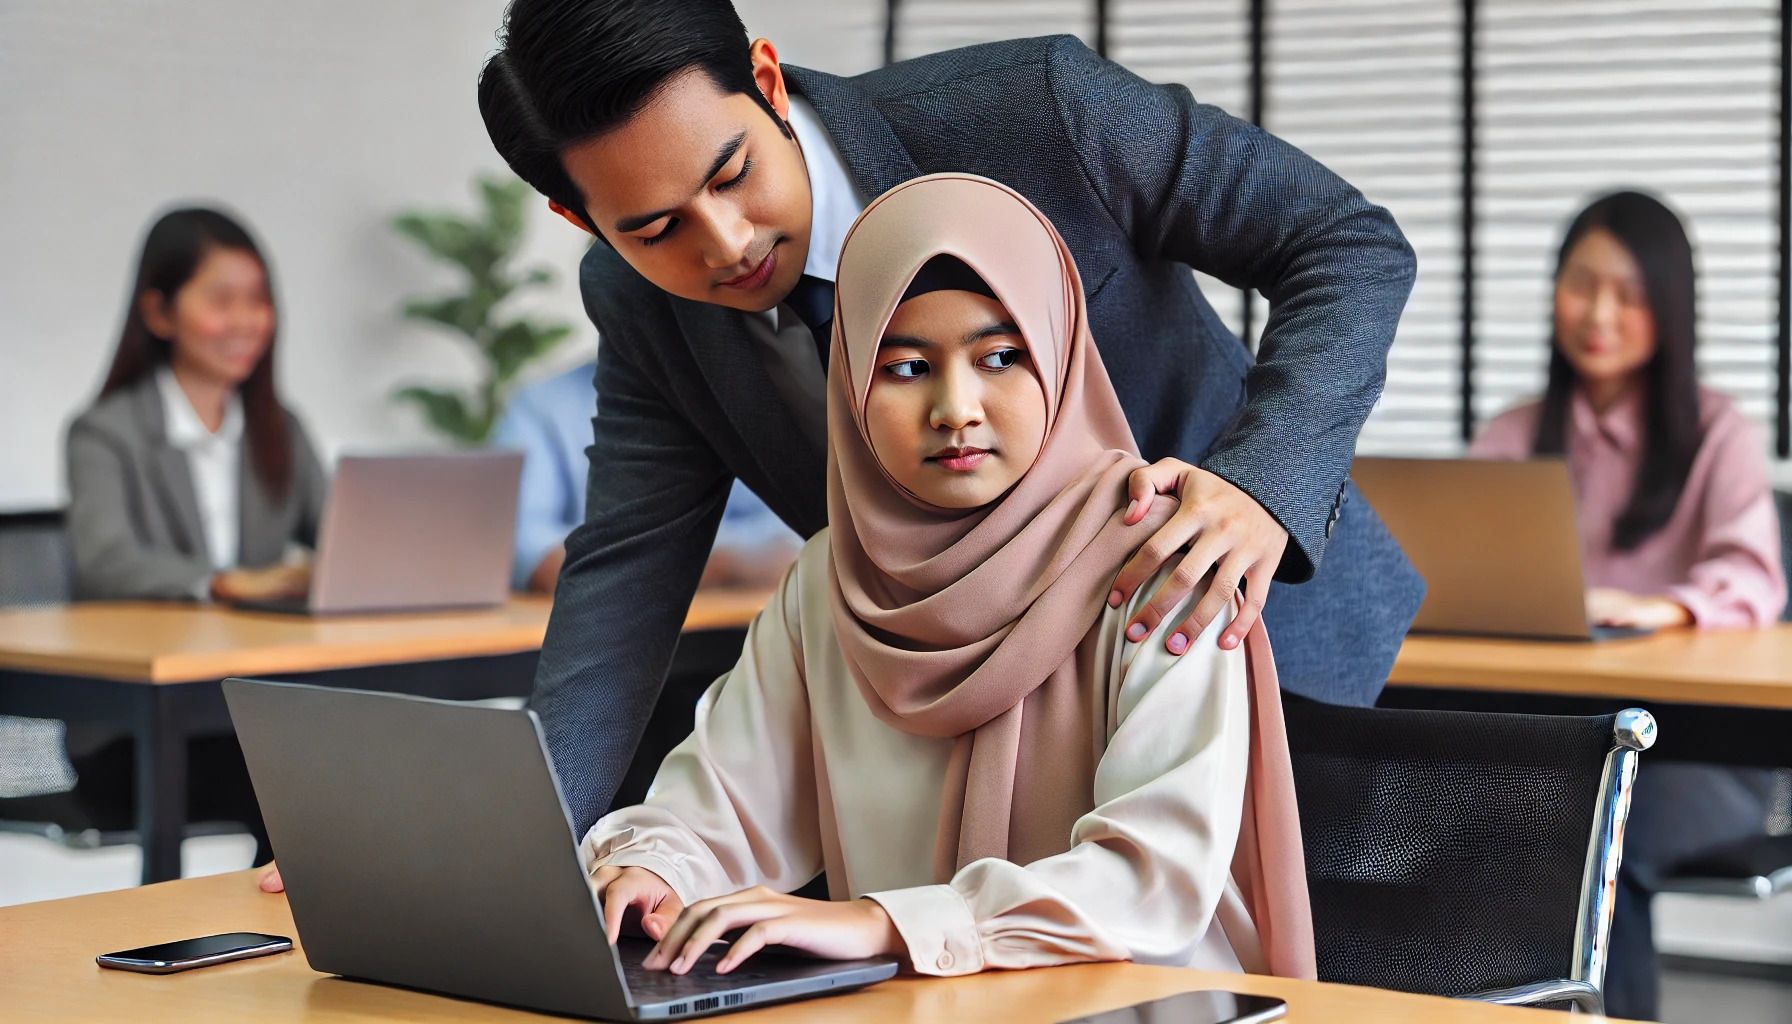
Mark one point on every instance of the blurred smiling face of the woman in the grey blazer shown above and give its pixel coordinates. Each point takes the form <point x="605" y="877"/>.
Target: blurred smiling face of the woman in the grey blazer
<point x="221" y="322"/>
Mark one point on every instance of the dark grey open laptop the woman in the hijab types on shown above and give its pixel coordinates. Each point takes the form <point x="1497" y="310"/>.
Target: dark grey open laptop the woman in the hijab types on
<point x="426" y="844"/>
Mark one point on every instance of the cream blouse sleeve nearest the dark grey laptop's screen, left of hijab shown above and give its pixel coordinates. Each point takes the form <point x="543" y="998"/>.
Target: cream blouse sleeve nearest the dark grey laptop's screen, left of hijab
<point x="734" y="806"/>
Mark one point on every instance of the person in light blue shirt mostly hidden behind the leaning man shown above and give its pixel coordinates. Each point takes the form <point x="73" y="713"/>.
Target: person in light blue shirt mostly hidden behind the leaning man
<point x="551" y="424"/>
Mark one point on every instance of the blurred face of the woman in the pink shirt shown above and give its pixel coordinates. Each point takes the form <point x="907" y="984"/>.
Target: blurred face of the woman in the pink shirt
<point x="1603" y="320"/>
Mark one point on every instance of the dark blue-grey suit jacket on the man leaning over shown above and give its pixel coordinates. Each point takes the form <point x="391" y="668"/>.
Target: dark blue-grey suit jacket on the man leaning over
<point x="1144" y="184"/>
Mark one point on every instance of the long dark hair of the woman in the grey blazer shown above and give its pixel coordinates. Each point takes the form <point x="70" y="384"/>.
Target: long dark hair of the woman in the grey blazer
<point x="173" y="252"/>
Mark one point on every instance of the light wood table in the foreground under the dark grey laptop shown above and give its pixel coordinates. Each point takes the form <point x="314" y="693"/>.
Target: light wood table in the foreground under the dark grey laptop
<point x="49" y="975"/>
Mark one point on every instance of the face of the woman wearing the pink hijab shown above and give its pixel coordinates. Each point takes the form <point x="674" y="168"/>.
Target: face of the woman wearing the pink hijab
<point x="956" y="410"/>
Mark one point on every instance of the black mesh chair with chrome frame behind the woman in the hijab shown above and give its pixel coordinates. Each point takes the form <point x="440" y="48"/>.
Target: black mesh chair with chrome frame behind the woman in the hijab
<point x="1465" y="855"/>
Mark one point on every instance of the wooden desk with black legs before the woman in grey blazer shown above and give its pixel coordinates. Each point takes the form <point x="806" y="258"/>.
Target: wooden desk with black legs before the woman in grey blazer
<point x="157" y="668"/>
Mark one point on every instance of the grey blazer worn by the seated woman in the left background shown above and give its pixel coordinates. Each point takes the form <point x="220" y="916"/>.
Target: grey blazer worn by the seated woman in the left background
<point x="134" y="514"/>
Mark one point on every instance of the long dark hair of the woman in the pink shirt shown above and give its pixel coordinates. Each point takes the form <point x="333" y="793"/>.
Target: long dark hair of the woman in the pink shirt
<point x="1658" y="243"/>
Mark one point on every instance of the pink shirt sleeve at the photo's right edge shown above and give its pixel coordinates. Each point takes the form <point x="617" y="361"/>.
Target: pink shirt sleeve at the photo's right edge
<point x="1737" y="578"/>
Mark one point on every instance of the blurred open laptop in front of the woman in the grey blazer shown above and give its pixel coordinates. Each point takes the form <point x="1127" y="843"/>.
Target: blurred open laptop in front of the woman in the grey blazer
<point x="413" y="534"/>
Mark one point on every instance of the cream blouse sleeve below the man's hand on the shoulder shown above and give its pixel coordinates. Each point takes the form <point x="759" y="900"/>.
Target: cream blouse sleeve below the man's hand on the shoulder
<point x="1148" y="867"/>
